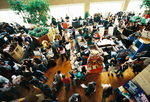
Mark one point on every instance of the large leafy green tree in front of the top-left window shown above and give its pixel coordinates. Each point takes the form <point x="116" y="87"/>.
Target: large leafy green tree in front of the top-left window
<point x="33" y="11"/>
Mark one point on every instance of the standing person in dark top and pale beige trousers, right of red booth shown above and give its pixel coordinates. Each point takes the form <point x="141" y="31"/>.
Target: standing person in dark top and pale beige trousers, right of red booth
<point x="113" y="63"/>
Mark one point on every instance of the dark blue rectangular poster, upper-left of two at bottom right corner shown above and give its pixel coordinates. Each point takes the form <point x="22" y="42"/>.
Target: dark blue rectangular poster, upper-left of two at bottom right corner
<point x="132" y="88"/>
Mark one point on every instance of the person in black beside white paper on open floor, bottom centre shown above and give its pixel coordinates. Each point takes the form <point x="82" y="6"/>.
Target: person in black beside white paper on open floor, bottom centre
<point x="90" y="88"/>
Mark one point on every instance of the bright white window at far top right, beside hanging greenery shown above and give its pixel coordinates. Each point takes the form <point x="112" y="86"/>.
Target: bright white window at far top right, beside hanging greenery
<point x="134" y="5"/>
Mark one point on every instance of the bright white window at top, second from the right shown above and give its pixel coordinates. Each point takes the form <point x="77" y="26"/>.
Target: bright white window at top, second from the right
<point x="106" y="7"/>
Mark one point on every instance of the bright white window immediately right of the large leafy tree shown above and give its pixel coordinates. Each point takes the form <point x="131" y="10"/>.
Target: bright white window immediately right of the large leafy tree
<point x="72" y="10"/>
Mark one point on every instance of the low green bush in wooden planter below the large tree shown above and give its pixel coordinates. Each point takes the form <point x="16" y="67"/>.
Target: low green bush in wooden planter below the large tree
<point x="39" y="32"/>
